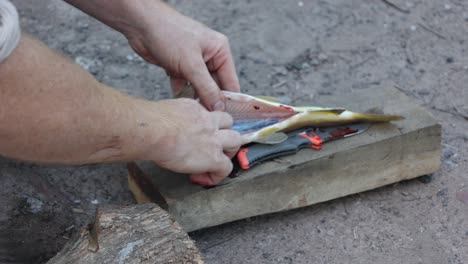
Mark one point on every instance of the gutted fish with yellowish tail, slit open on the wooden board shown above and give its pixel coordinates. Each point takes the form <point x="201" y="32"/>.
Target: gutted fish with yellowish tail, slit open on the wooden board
<point x="265" y="120"/>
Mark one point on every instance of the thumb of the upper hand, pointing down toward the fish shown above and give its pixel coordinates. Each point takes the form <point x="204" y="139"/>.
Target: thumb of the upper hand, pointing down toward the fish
<point x="207" y="90"/>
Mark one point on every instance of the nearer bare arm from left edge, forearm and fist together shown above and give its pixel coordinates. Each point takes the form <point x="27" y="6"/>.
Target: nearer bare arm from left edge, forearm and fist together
<point x="52" y="111"/>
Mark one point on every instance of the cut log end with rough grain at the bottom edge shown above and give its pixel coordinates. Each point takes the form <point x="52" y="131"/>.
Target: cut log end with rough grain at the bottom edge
<point x="130" y="235"/>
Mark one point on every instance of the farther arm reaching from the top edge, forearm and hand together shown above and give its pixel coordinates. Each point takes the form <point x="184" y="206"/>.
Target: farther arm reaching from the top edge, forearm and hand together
<point x="186" y="49"/>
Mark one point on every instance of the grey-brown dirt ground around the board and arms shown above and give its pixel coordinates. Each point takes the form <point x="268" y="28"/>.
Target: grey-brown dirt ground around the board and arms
<point x="289" y="49"/>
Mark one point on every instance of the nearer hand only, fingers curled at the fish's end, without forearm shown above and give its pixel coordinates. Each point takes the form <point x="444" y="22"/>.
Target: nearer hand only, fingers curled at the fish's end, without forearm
<point x="194" y="140"/>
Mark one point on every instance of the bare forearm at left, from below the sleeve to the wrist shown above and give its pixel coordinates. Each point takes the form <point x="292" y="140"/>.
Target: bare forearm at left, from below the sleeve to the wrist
<point x="53" y="111"/>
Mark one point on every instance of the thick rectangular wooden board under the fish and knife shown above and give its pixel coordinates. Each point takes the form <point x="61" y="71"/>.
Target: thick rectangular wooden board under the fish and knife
<point x="385" y="154"/>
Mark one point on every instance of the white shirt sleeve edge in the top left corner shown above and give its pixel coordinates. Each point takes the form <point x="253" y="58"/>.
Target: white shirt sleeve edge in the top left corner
<point x="9" y="29"/>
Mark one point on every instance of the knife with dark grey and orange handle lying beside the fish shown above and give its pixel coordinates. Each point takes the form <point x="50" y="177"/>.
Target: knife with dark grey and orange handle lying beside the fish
<point x="310" y="137"/>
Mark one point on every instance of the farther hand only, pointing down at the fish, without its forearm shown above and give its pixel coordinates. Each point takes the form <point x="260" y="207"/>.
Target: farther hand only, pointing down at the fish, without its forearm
<point x="188" y="51"/>
